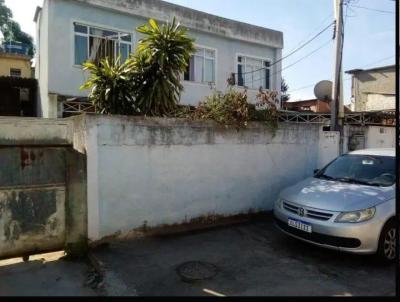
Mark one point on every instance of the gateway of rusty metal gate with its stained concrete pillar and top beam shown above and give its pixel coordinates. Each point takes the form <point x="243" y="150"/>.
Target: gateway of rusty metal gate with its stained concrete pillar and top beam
<point x="42" y="188"/>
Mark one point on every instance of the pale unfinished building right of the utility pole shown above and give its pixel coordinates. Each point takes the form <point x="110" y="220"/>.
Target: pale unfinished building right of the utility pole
<point x="374" y="89"/>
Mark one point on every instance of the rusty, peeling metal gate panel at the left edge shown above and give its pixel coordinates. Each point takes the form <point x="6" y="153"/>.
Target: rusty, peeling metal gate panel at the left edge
<point x="32" y="200"/>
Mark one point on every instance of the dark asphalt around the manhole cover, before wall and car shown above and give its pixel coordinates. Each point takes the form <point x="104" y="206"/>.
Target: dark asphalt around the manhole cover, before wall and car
<point x="252" y="259"/>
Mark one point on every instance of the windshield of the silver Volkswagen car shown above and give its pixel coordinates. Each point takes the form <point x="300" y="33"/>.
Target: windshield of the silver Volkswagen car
<point x="361" y="169"/>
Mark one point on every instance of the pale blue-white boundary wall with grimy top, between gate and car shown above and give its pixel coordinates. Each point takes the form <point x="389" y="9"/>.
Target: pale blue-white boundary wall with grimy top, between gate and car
<point x="156" y="172"/>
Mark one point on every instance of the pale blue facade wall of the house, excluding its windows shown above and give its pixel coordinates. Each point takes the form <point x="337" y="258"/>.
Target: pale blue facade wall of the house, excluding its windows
<point x="229" y="38"/>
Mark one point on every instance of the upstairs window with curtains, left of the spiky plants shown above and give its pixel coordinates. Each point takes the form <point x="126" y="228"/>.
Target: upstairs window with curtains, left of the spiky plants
<point x="94" y="44"/>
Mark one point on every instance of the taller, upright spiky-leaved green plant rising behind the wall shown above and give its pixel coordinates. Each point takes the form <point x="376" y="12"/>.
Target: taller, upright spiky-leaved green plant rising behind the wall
<point x="162" y="55"/>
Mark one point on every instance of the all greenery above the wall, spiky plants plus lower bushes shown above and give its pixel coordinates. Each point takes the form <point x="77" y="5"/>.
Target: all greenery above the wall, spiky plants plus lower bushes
<point x="149" y="83"/>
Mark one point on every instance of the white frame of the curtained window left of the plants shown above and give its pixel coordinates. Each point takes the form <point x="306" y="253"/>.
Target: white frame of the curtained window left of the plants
<point x="89" y="25"/>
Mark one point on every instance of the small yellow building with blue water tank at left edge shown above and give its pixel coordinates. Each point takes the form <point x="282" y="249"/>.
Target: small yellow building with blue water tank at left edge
<point x="15" y="61"/>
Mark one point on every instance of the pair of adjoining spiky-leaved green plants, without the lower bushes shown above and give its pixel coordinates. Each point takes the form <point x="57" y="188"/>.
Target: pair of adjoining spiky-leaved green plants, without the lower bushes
<point x="148" y="83"/>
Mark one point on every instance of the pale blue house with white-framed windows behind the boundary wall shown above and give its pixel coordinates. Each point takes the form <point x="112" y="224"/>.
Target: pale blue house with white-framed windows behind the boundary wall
<point x="70" y="32"/>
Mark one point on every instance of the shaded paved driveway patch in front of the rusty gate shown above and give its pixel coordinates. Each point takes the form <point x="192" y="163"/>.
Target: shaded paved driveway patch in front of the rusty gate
<point x="44" y="275"/>
